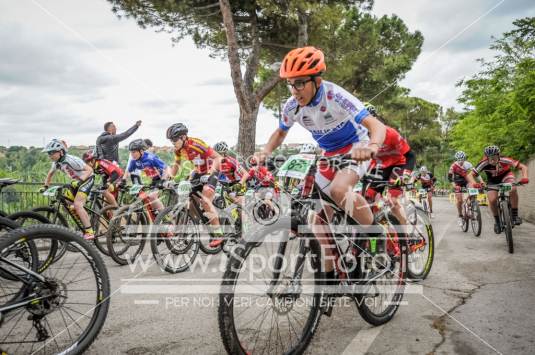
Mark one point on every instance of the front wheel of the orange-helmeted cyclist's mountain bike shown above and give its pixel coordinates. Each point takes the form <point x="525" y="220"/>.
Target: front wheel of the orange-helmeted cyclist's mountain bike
<point x="275" y="309"/>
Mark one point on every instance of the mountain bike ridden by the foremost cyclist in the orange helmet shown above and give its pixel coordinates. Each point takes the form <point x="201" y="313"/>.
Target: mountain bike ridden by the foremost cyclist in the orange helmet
<point x="277" y="308"/>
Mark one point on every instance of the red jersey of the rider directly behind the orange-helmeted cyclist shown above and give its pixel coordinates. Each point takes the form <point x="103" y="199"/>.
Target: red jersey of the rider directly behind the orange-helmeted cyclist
<point x="392" y="151"/>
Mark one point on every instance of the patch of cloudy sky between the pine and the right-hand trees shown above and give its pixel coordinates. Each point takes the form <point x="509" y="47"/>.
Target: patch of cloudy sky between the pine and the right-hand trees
<point x="449" y="52"/>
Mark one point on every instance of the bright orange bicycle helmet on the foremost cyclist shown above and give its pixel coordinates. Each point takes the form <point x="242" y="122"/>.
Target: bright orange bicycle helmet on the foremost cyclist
<point x="304" y="61"/>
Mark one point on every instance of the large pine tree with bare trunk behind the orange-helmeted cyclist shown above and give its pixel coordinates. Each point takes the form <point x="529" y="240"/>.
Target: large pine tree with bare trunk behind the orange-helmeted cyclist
<point x="364" y="53"/>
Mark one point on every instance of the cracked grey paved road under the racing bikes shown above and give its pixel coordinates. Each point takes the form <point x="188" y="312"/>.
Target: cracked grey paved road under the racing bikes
<point x="478" y="299"/>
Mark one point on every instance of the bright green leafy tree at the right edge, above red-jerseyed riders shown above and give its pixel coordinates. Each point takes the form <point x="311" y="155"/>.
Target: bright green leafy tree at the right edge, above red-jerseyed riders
<point x="501" y="98"/>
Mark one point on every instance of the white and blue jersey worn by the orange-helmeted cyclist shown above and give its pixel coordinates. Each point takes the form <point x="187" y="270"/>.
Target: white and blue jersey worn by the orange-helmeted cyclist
<point x="333" y="117"/>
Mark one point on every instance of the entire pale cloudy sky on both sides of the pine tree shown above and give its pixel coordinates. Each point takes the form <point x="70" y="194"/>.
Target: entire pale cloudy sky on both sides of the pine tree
<point x="67" y="66"/>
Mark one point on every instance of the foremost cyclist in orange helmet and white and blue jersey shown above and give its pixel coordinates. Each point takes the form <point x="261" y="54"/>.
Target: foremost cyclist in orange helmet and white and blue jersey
<point x="338" y="122"/>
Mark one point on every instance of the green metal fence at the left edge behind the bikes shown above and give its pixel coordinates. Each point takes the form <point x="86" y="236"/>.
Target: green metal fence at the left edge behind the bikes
<point x="21" y="196"/>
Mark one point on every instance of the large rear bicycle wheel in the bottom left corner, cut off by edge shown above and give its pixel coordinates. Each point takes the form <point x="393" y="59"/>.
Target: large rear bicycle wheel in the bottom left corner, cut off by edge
<point x="67" y="307"/>
